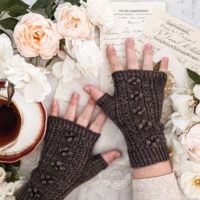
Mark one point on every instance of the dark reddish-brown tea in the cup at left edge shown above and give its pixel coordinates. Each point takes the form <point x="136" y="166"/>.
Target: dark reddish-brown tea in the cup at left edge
<point x="10" y="123"/>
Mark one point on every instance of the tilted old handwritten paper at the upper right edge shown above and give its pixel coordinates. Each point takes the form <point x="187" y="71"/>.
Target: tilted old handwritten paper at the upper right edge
<point x="183" y="40"/>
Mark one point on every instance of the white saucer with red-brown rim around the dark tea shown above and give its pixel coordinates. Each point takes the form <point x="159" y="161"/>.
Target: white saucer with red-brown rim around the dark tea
<point x="32" y="130"/>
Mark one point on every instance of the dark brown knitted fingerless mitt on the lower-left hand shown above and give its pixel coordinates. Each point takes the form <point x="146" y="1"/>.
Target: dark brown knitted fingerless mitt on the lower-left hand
<point x="66" y="162"/>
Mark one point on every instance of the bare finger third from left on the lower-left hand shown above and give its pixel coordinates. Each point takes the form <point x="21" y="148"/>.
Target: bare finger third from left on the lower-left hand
<point x="85" y="116"/>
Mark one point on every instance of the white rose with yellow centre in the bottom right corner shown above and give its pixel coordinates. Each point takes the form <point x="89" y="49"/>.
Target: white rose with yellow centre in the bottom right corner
<point x="190" y="181"/>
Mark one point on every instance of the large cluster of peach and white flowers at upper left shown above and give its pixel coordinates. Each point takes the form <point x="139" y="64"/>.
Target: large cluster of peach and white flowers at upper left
<point x="67" y="39"/>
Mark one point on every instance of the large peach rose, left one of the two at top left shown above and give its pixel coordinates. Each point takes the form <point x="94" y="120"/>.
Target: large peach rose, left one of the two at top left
<point x="36" y="36"/>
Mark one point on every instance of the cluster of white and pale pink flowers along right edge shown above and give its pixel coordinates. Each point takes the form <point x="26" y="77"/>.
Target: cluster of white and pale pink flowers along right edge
<point x="184" y="139"/>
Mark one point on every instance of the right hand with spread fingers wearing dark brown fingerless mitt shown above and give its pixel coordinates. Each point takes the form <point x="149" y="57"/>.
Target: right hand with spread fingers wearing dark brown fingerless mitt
<point x="136" y="107"/>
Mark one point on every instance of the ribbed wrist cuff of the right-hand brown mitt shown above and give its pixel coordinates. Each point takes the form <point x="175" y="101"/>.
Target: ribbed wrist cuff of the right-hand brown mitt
<point x="148" y="155"/>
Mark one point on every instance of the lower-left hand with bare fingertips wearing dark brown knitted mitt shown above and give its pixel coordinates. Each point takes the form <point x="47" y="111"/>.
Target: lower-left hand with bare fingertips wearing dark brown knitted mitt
<point x="67" y="160"/>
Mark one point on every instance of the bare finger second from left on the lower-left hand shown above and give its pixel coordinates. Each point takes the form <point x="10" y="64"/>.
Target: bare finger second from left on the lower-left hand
<point x="72" y="107"/>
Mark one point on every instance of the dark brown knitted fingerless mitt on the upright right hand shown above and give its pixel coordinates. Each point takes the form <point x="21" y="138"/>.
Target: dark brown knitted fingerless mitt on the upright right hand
<point x="136" y="108"/>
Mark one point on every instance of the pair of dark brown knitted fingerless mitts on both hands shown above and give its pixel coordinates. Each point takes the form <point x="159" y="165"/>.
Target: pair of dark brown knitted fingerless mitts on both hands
<point x="67" y="161"/>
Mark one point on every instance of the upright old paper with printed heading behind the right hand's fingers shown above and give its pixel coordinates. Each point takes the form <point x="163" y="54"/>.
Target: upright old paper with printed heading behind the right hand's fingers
<point x="130" y="18"/>
